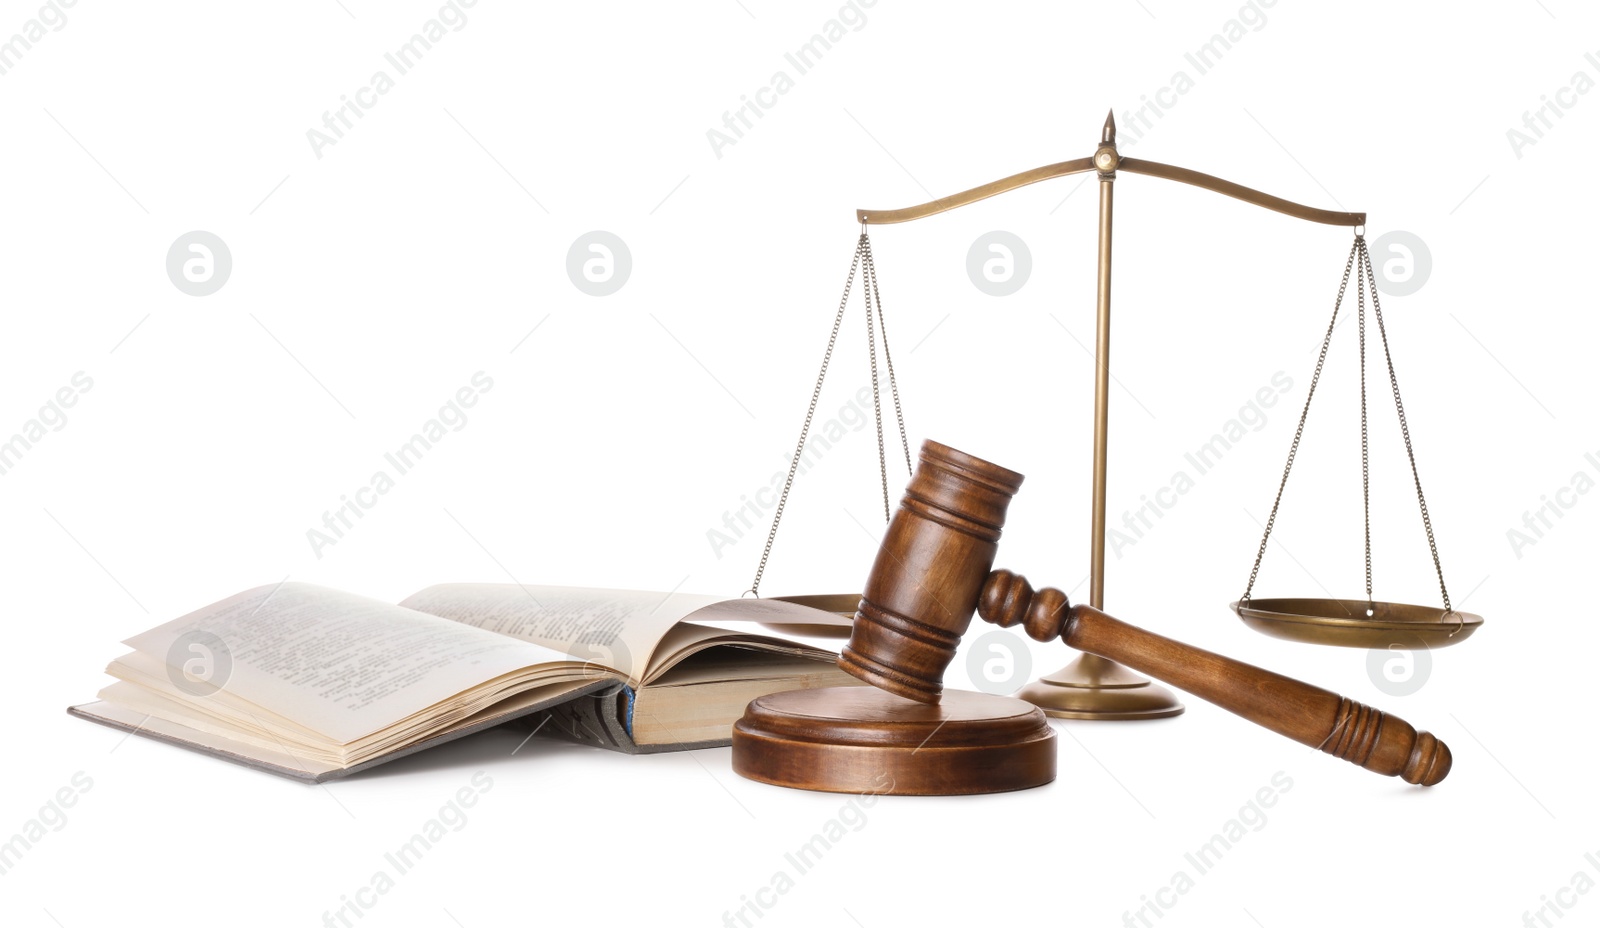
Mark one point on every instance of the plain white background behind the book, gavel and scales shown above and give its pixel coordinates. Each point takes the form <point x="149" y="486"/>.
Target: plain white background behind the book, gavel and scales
<point x="374" y="281"/>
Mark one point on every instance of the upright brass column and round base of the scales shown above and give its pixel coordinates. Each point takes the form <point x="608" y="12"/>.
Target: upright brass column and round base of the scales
<point x="1094" y="687"/>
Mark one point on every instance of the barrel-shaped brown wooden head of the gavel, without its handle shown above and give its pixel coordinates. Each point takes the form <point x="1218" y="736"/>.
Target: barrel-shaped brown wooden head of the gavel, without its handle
<point x="930" y="572"/>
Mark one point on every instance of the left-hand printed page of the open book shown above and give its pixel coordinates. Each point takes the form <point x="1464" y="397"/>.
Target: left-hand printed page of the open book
<point x="342" y="665"/>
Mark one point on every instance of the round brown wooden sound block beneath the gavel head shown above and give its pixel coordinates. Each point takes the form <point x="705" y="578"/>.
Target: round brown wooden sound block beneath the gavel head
<point x="865" y="740"/>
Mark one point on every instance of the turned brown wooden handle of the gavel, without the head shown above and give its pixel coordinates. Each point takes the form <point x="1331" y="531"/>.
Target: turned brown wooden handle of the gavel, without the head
<point x="1308" y="714"/>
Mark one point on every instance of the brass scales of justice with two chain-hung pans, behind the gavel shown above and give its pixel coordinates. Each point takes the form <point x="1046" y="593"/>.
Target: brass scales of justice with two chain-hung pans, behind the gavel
<point x="1094" y="687"/>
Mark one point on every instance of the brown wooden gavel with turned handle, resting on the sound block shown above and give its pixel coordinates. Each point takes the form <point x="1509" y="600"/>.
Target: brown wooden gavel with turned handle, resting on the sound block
<point x="934" y="570"/>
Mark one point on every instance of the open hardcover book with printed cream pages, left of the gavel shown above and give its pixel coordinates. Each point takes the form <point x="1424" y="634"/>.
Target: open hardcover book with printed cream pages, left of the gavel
<point x="316" y="684"/>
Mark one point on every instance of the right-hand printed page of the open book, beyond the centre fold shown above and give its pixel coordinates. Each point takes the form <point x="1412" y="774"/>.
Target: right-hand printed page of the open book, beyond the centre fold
<point x="617" y="630"/>
